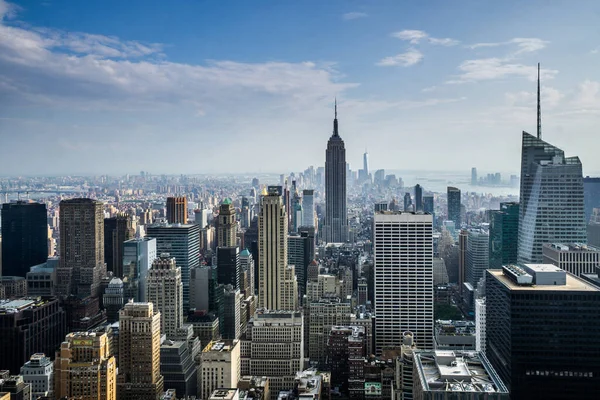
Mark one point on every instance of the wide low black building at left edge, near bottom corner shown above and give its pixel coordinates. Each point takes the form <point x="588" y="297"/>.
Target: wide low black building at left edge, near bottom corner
<point x="29" y="326"/>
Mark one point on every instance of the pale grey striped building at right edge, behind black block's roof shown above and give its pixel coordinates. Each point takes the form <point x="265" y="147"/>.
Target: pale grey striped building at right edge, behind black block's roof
<point x="575" y="258"/>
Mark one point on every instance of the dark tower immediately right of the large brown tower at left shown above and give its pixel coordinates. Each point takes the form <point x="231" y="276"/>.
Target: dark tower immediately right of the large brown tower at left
<point x="116" y="231"/>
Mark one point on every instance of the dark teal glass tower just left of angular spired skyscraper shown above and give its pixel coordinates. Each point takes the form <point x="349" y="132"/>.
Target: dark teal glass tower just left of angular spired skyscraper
<point x="504" y="233"/>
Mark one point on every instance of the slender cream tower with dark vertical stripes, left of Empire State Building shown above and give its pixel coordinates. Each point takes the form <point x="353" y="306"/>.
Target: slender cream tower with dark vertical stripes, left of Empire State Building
<point x="278" y="288"/>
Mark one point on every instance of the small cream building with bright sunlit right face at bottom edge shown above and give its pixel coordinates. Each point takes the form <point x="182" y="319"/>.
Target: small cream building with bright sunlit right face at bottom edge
<point x="220" y="367"/>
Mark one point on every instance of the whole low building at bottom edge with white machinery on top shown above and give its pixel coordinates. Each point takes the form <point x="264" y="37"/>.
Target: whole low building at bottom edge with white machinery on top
<point x="456" y="375"/>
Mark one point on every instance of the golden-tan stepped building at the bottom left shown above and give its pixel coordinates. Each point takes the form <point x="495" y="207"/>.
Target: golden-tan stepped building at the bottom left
<point x="84" y="369"/>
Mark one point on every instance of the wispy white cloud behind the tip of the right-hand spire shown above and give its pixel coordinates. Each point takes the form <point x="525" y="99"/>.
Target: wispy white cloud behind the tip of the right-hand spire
<point x="496" y="68"/>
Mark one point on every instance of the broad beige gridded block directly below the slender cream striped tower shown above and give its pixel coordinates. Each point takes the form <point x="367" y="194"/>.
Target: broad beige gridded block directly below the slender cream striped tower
<point x="274" y="348"/>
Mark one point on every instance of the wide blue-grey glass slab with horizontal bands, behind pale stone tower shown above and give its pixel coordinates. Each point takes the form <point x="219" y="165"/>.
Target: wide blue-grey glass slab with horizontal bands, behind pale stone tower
<point x="181" y="241"/>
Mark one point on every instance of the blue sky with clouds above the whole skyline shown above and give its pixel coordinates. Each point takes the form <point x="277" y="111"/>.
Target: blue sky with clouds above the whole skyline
<point x="200" y="86"/>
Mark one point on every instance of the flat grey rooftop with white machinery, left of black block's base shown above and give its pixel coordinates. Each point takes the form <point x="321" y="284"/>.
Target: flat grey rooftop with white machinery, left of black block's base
<point x="450" y="371"/>
